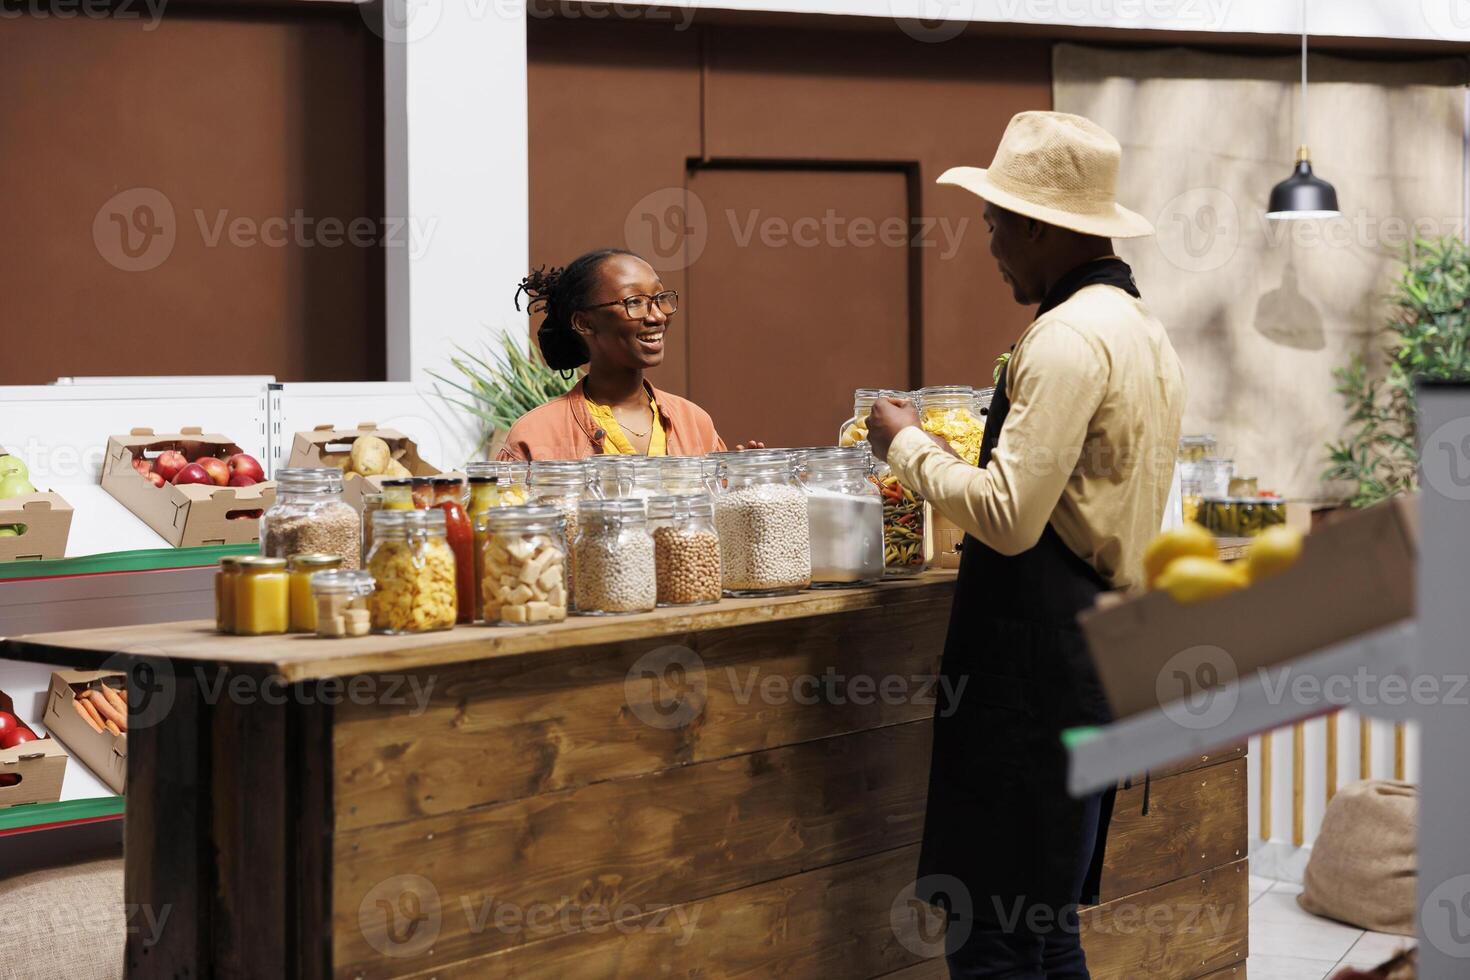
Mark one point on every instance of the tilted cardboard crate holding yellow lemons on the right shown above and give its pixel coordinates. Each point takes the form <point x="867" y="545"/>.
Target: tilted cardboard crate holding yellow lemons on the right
<point x="1355" y="577"/>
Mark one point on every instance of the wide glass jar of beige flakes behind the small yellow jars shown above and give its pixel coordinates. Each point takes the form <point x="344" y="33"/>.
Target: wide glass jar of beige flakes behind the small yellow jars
<point x="311" y="516"/>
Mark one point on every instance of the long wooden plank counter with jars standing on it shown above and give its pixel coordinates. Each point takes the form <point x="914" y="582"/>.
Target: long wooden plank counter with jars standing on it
<point x="734" y="790"/>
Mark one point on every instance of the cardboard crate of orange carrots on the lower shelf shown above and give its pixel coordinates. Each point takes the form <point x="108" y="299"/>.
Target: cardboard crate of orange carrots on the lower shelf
<point x="87" y="710"/>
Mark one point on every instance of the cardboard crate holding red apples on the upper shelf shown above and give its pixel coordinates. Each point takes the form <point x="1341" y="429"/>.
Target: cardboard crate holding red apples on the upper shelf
<point x="192" y="515"/>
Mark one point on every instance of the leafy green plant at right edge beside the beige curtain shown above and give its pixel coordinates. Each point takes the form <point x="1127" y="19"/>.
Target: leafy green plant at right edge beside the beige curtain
<point x="1427" y="339"/>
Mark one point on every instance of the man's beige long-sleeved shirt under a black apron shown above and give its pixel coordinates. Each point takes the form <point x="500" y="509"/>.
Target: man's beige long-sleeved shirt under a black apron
<point x="1090" y="444"/>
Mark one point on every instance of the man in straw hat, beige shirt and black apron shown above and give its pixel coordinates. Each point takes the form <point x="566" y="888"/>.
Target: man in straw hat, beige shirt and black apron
<point x="1075" y="472"/>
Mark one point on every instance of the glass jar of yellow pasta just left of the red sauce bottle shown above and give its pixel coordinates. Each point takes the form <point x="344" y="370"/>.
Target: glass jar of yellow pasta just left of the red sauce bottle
<point x="414" y="568"/>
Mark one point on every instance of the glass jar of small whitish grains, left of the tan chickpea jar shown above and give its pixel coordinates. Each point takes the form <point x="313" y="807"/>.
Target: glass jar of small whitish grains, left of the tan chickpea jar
<point x="615" y="569"/>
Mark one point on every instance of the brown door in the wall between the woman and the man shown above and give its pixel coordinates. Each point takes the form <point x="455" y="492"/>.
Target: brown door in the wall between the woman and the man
<point x="799" y="292"/>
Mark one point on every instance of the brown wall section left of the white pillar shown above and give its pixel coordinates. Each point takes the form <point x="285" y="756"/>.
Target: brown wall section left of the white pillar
<point x="251" y="117"/>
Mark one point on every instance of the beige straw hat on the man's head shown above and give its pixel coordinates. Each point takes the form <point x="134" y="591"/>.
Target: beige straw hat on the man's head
<point x="1061" y="170"/>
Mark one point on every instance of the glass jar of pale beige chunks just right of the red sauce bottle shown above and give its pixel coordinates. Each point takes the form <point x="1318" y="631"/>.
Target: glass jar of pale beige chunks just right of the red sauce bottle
<point x="524" y="566"/>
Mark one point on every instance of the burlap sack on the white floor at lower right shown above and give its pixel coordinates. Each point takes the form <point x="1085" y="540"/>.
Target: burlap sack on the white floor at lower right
<point x="1363" y="865"/>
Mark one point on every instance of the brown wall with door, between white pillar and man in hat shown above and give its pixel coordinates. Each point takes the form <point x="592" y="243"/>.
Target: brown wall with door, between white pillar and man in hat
<point x="630" y="120"/>
